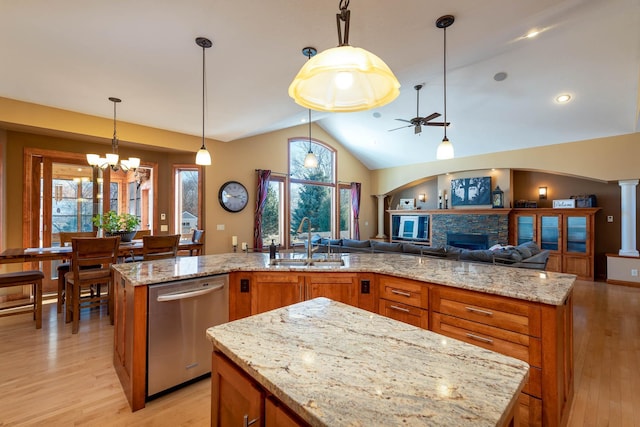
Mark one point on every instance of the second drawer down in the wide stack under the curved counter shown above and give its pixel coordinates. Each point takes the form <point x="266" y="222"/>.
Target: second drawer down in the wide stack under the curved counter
<point x="512" y="344"/>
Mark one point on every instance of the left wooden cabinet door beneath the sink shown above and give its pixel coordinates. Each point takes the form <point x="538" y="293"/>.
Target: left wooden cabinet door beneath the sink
<point x="275" y="290"/>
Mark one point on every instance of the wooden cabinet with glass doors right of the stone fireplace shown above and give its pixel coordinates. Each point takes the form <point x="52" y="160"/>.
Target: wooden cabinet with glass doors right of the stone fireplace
<point x="567" y="233"/>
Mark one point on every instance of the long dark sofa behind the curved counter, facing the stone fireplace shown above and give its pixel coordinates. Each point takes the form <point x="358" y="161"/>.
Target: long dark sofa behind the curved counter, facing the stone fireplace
<point x="526" y="255"/>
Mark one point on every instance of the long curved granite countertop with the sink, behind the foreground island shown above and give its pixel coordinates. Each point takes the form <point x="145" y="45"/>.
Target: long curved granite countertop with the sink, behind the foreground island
<point x="530" y="285"/>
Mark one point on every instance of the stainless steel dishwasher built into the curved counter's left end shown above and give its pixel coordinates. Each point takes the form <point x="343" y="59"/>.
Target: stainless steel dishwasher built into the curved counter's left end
<point x="179" y="314"/>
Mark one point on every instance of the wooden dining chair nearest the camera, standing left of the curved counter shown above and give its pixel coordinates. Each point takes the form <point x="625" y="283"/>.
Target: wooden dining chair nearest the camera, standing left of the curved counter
<point x="91" y="260"/>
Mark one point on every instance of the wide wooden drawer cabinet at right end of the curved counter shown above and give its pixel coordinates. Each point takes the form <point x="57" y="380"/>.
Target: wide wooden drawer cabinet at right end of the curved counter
<point x="538" y="334"/>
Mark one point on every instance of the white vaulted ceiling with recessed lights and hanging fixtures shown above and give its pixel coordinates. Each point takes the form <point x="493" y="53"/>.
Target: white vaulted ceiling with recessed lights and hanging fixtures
<point x="74" y="54"/>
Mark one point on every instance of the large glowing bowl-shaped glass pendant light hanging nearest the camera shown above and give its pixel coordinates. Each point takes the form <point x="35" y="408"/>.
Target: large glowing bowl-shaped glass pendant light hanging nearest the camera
<point x="344" y="78"/>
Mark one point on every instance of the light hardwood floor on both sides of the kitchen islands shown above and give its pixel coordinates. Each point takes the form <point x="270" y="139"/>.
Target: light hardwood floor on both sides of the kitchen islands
<point x="52" y="377"/>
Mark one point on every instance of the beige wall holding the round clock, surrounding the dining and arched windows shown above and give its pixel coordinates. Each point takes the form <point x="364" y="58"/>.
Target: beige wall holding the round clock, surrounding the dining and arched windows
<point x="42" y="127"/>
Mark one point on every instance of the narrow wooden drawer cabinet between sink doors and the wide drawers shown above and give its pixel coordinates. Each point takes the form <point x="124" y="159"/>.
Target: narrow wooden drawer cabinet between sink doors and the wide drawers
<point x="404" y="300"/>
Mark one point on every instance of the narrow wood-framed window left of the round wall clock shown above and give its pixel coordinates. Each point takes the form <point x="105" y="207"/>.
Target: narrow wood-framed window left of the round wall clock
<point x="187" y="199"/>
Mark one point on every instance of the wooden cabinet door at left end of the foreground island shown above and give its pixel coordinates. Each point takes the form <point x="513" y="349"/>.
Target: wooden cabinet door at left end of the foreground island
<point x="235" y="399"/>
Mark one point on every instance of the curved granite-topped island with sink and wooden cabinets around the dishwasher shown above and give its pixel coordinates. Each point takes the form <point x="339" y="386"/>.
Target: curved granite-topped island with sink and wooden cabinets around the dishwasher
<point x="521" y="313"/>
